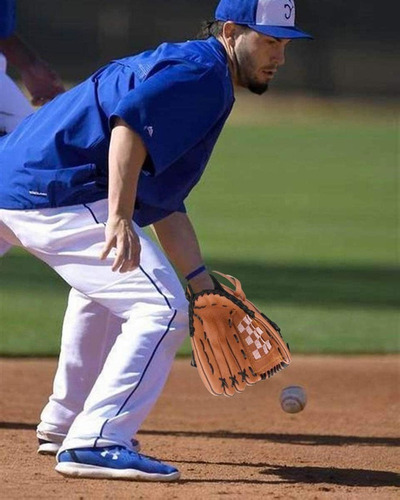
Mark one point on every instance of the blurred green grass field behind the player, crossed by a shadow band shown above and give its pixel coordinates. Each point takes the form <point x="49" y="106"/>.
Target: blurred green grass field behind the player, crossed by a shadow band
<point x="300" y="203"/>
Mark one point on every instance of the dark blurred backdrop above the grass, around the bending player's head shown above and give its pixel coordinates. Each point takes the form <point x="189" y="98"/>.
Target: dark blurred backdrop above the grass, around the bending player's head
<point x="354" y="51"/>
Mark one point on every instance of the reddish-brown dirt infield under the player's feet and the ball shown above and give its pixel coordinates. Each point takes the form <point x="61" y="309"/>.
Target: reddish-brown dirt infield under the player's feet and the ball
<point x="344" y="445"/>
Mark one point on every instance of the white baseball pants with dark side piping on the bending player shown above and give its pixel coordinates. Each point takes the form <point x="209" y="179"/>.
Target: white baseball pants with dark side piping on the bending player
<point x="123" y="371"/>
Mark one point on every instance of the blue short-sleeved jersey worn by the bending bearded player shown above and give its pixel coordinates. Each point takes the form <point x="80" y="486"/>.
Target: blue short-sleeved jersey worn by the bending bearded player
<point x="177" y="98"/>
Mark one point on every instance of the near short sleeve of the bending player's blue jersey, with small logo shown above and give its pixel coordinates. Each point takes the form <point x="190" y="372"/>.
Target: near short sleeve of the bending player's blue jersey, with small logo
<point x="173" y="110"/>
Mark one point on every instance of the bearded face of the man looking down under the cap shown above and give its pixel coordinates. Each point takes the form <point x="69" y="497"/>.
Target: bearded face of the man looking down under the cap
<point x="258" y="58"/>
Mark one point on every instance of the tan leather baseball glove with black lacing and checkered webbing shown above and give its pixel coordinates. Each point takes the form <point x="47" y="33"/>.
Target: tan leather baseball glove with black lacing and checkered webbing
<point x="234" y="344"/>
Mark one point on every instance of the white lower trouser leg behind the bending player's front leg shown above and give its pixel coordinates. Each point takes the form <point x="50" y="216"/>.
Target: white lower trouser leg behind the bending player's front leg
<point x="89" y="331"/>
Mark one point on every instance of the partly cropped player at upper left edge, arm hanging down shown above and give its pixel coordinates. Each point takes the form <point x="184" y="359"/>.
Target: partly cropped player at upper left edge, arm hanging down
<point x="42" y="83"/>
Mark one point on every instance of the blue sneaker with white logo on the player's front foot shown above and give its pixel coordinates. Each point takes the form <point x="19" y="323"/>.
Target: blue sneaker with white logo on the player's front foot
<point x="113" y="462"/>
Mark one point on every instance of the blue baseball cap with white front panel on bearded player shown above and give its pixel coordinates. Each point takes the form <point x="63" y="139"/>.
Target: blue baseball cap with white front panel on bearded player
<point x="275" y="18"/>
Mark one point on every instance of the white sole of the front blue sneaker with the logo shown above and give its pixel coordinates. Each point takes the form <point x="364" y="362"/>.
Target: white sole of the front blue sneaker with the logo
<point x="72" y="469"/>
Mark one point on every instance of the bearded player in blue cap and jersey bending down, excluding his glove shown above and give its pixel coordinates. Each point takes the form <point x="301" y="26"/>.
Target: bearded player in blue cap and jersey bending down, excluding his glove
<point x="84" y="175"/>
